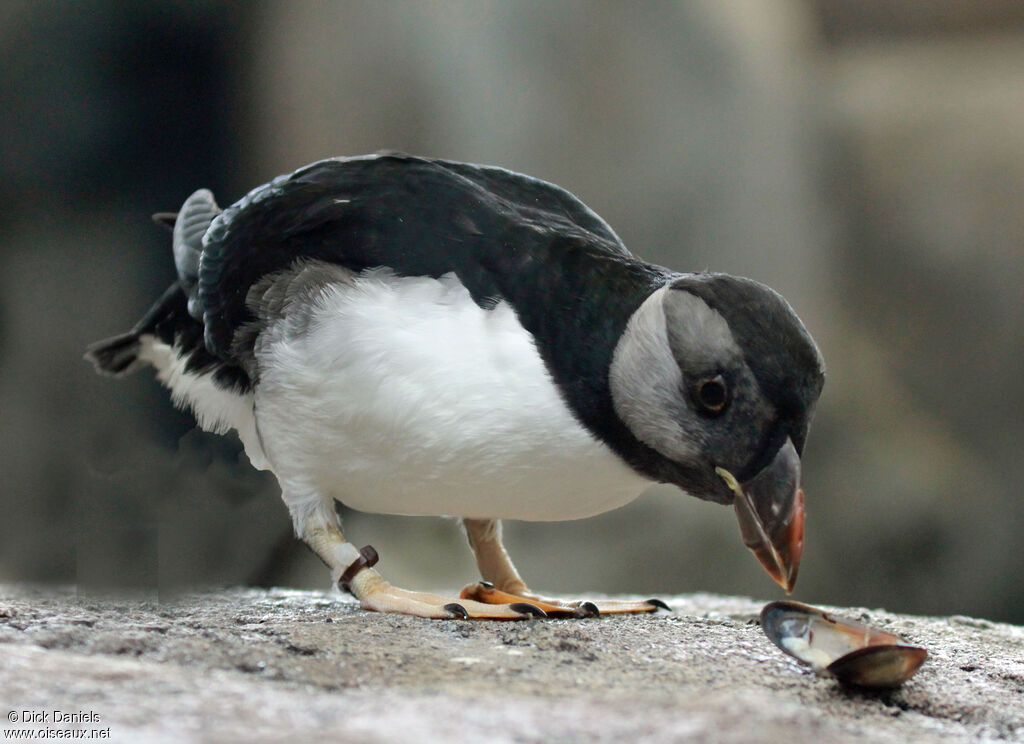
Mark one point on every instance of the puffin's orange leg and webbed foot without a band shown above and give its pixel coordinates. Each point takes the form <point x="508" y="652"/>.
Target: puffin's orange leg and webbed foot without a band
<point x="502" y="584"/>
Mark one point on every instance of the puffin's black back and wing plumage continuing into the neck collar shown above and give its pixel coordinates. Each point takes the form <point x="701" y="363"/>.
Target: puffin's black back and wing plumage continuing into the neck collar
<point x="506" y="237"/>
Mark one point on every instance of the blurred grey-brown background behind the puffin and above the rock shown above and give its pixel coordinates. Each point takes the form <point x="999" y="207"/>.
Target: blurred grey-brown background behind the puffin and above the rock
<point x="864" y="157"/>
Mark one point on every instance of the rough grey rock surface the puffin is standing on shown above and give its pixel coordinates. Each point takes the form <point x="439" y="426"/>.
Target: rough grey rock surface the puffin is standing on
<point x="254" y="666"/>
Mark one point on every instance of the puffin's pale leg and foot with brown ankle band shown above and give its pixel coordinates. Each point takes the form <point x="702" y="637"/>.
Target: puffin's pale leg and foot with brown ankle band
<point x="319" y="529"/>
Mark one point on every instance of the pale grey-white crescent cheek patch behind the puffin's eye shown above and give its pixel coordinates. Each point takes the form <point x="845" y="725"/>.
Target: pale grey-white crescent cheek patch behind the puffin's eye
<point x="648" y="385"/>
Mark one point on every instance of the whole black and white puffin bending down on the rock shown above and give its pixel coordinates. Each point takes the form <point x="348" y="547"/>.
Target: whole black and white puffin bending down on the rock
<point x="415" y="336"/>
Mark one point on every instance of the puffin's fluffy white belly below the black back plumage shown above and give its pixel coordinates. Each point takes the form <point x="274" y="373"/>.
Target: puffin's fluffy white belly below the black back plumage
<point x="405" y="398"/>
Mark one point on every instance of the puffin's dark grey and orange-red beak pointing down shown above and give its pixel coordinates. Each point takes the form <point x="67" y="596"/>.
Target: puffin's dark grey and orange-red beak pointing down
<point x="771" y="511"/>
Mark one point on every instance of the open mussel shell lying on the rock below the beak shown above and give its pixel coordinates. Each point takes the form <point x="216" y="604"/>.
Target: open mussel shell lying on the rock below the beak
<point x="850" y="651"/>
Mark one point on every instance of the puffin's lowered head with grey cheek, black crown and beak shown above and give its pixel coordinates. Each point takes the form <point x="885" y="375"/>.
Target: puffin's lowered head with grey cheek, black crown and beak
<point x="718" y="375"/>
